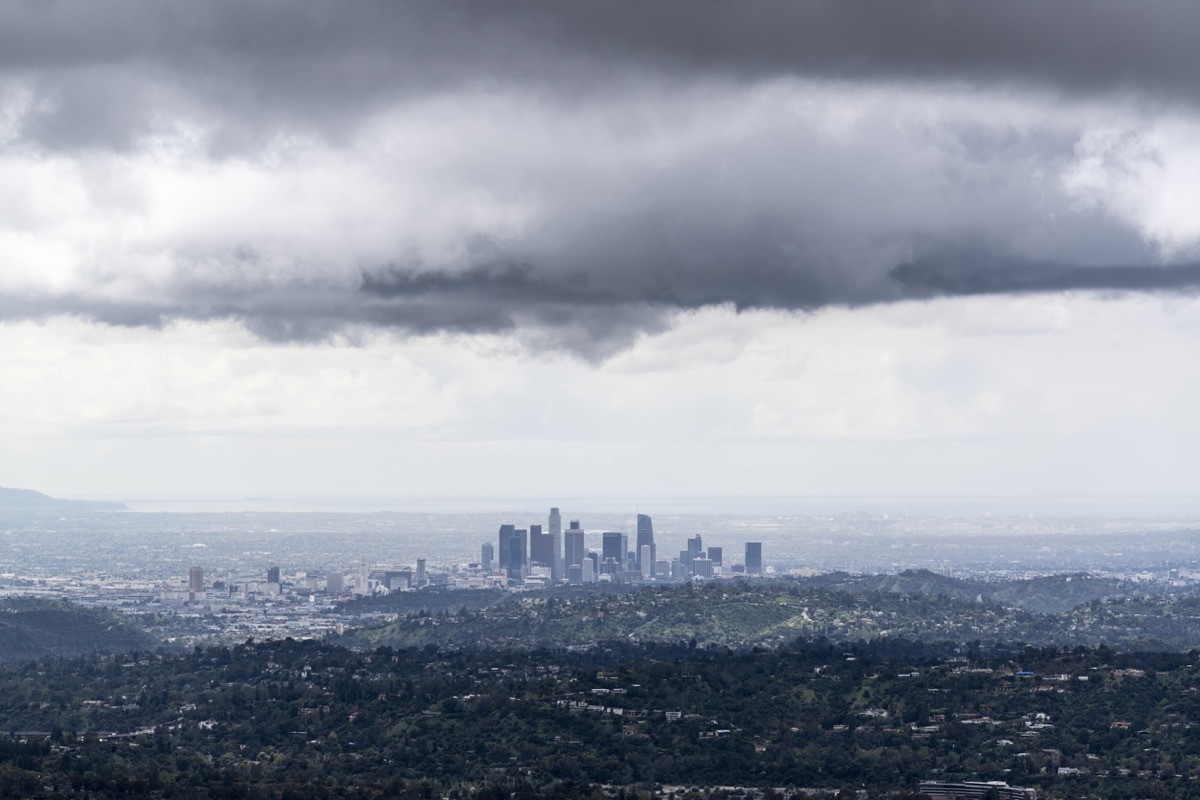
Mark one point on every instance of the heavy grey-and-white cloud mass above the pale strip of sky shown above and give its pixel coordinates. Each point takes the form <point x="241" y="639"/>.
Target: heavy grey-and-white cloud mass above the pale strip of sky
<point x="580" y="173"/>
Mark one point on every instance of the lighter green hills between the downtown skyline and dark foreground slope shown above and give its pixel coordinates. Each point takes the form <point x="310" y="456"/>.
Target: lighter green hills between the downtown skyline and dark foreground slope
<point x="747" y="613"/>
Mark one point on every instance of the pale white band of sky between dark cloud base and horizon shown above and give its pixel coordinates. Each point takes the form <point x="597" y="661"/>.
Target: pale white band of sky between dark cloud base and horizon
<point x="910" y="399"/>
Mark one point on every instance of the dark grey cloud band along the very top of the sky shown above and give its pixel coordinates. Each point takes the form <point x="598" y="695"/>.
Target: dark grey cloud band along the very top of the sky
<point x="107" y="71"/>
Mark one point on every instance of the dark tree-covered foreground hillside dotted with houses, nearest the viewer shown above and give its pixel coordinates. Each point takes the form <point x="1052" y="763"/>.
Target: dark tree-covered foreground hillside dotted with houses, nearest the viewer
<point x="310" y="720"/>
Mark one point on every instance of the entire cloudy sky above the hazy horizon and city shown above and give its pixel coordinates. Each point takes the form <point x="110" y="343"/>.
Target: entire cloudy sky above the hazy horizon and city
<point x="704" y="249"/>
